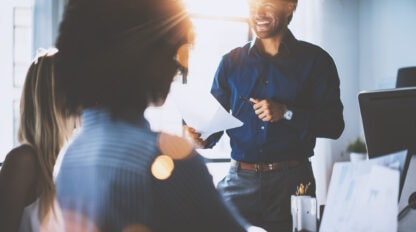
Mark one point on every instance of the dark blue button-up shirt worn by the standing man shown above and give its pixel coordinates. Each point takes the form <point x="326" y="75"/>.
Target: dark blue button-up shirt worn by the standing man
<point x="303" y="76"/>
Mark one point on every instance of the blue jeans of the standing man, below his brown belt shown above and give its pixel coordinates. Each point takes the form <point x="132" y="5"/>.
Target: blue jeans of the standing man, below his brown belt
<point x="263" y="198"/>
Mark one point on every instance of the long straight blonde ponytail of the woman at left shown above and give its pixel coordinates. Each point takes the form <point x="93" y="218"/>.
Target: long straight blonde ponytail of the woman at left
<point x="42" y="125"/>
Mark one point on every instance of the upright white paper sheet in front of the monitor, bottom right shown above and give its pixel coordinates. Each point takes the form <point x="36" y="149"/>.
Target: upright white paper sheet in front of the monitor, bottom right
<point x="363" y="195"/>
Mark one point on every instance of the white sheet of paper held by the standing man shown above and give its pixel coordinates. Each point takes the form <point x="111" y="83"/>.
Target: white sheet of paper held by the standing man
<point x="202" y="111"/>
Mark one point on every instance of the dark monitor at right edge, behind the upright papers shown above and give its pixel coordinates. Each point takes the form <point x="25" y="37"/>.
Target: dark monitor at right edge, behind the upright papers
<point x="389" y="120"/>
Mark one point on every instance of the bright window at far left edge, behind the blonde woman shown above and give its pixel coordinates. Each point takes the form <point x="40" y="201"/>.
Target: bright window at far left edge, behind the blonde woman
<point x="16" y="27"/>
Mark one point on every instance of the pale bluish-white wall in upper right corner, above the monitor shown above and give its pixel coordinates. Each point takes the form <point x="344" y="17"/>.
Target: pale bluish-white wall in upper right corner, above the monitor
<point x="387" y="41"/>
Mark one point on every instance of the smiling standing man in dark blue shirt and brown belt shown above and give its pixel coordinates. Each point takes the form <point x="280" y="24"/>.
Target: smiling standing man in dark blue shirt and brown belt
<point x="287" y="94"/>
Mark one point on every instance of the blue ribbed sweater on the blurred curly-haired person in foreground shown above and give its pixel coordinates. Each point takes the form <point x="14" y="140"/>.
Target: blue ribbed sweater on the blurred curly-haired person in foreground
<point x="118" y="175"/>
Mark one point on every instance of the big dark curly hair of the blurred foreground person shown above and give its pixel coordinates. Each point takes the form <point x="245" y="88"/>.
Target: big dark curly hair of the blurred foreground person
<point x="118" y="54"/>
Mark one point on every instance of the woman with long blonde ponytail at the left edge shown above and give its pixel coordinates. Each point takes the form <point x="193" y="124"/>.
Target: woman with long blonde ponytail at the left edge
<point x="27" y="189"/>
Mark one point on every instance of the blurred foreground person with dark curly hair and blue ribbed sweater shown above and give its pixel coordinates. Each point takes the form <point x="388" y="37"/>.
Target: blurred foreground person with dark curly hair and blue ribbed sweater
<point x="116" y="57"/>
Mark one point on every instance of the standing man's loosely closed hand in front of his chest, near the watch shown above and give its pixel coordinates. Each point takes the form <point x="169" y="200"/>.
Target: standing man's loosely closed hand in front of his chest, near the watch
<point x="268" y="110"/>
